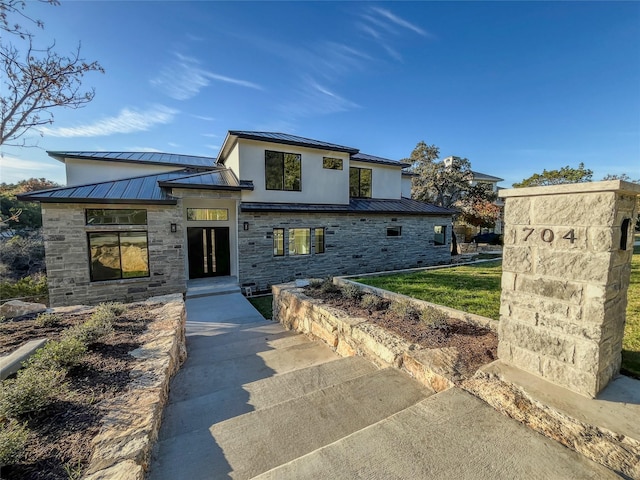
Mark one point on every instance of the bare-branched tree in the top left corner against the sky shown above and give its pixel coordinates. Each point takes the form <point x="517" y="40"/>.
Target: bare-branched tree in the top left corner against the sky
<point x="35" y="80"/>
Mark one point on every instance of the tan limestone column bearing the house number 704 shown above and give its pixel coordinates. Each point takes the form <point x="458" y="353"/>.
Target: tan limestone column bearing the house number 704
<point x="566" y="269"/>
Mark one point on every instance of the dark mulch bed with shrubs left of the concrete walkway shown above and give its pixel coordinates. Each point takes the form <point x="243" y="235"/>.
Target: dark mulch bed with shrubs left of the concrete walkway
<point x="60" y="443"/>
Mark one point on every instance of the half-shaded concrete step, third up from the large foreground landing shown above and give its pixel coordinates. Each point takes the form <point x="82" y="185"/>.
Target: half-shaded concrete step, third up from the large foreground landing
<point x="199" y="379"/>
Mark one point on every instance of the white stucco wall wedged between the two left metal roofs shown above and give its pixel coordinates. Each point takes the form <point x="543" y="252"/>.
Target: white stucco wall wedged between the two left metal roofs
<point x="80" y="172"/>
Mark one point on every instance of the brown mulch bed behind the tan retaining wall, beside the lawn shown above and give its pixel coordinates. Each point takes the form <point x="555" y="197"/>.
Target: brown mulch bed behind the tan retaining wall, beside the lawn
<point x="476" y="345"/>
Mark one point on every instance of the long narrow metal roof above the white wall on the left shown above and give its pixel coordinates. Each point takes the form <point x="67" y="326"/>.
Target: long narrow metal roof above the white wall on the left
<point x="148" y="158"/>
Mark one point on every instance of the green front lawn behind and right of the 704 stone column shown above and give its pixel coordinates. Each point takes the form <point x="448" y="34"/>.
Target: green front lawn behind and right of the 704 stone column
<point x="476" y="289"/>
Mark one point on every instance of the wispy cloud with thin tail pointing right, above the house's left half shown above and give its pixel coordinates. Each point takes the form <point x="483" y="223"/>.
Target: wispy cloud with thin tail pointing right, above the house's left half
<point x="184" y="77"/>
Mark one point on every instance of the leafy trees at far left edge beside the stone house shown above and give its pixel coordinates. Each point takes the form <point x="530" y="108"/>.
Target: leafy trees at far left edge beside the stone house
<point x="30" y="216"/>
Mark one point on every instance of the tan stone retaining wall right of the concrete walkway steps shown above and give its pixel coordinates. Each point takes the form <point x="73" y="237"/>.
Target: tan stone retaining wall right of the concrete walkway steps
<point x="348" y="336"/>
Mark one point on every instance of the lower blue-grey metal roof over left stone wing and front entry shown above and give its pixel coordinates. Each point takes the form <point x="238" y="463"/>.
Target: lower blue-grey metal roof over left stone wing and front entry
<point x="144" y="190"/>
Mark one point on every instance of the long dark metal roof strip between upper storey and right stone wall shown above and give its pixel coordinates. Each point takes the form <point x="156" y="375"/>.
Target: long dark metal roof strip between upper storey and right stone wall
<point x="403" y="205"/>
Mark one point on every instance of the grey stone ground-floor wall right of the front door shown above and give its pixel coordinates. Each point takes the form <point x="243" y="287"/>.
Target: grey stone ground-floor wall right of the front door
<point x="354" y="244"/>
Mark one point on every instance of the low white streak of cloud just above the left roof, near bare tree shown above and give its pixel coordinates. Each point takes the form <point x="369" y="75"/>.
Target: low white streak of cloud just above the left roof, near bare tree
<point x="127" y="121"/>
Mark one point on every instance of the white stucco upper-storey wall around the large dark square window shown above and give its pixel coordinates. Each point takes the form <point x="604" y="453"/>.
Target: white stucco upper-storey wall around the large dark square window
<point x="319" y="185"/>
